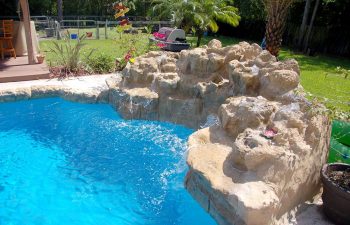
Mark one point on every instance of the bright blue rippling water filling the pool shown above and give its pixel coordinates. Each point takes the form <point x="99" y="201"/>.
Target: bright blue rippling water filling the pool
<point x="71" y="163"/>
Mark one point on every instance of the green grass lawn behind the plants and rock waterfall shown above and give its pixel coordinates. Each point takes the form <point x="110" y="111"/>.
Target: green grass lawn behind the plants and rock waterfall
<point x="332" y="88"/>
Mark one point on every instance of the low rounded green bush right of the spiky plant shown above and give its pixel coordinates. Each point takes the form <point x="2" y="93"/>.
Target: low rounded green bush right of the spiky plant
<point x="101" y="63"/>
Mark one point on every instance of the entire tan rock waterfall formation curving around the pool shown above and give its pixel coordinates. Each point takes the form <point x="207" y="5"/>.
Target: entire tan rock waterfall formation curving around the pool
<point x="236" y="173"/>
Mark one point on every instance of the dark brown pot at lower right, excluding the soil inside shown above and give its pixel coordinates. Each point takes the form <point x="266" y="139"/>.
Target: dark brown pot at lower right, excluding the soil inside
<point x="336" y="201"/>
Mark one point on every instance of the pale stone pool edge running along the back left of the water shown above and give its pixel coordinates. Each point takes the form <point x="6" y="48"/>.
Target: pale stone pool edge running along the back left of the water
<point x="86" y="89"/>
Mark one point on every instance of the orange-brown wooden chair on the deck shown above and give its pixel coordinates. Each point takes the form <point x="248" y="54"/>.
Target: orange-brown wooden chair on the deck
<point x="6" y="38"/>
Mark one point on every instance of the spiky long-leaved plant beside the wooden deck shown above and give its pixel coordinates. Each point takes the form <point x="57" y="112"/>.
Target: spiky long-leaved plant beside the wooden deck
<point x="68" y="53"/>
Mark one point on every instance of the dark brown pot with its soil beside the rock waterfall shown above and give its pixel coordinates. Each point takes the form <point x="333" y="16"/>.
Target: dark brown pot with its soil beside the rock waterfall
<point x="336" y="192"/>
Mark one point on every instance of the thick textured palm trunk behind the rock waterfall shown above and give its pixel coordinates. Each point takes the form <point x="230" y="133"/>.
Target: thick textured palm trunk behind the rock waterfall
<point x="277" y="11"/>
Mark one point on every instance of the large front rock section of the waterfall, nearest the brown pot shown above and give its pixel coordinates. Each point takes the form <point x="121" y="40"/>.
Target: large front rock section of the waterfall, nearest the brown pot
<point x="246" y="178"/>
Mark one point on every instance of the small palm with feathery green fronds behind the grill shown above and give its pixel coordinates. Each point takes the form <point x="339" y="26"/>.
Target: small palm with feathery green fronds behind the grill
<point x="198" y="15"/>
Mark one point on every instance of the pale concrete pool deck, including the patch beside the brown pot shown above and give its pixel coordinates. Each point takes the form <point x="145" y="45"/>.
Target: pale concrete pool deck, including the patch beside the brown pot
<point x="93" y="89"/>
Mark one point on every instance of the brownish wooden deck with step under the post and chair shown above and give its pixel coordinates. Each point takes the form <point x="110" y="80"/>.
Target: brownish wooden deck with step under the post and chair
<point x="13" y="70"/>
